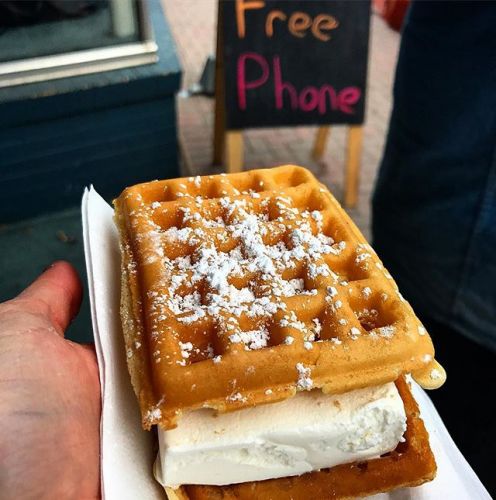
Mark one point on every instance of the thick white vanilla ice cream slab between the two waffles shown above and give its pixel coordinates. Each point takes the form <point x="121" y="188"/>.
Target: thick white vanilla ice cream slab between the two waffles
<point x="308" y="432"/>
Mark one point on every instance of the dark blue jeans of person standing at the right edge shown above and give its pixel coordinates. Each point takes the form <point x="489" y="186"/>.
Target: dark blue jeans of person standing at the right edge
<point x="434" y="206"/>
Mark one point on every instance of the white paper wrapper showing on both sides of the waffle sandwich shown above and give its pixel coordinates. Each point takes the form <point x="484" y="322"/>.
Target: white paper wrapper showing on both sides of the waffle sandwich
<point x="127" y="452"/>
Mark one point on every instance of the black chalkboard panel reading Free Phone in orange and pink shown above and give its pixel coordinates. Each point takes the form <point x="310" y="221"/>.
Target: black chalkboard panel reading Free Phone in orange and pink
<point x="294" y="62"/>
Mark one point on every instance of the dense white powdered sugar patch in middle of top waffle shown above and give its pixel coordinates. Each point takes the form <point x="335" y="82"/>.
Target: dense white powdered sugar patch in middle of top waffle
<point x="217" y="268"/>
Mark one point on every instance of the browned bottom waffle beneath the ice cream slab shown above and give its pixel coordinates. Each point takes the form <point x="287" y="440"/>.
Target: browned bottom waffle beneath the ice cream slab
<point x="411" y="464"/>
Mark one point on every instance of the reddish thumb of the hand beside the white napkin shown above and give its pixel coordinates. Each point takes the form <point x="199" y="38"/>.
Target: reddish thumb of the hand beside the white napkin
<point x="59" y="290"/>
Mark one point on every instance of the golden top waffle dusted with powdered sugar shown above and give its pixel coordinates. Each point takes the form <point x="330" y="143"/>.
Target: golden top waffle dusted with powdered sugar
<point x="242" y="289"/>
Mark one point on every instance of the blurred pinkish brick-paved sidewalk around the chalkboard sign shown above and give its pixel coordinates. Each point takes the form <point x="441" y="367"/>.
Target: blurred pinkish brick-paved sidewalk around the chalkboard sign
<point x="193" y="23"/>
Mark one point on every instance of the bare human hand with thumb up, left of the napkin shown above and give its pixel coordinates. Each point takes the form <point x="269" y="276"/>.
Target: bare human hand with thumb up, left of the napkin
<point x="49" y="395"/>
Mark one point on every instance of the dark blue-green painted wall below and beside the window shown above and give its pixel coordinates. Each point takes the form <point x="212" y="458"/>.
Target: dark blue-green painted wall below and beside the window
<point x="109" y="129"/>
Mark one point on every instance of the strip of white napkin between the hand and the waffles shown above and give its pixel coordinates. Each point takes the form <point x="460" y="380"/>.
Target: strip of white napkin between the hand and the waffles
<point x="127" y="452"/>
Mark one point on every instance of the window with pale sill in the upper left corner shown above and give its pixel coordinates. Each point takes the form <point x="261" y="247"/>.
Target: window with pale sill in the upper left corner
<point x="48" y="39"/>
